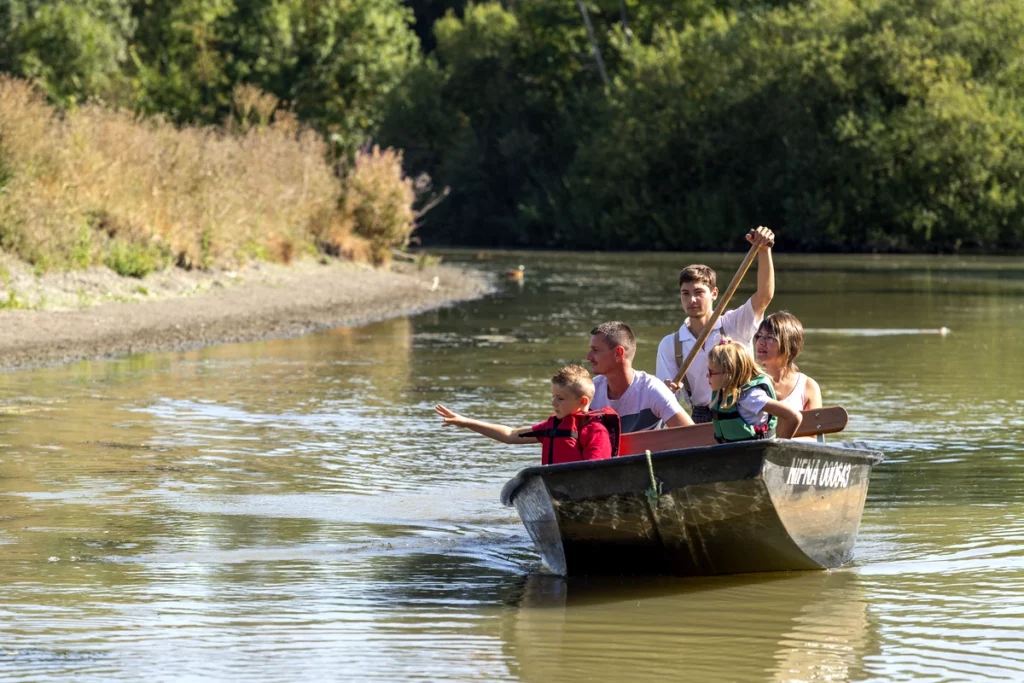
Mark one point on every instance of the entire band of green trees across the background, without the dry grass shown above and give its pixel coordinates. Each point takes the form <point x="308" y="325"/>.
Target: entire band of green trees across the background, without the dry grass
<point x="844" y="124"/>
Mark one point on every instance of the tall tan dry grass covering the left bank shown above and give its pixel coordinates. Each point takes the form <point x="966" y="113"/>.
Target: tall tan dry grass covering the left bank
<point x="101" y="187"/>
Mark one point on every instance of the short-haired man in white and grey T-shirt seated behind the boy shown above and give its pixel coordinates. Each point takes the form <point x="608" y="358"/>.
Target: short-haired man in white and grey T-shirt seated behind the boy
<point x="641" y="400"/>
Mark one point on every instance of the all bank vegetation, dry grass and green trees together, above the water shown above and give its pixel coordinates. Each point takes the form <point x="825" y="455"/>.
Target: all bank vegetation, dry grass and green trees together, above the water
<point x="201" y="134"/>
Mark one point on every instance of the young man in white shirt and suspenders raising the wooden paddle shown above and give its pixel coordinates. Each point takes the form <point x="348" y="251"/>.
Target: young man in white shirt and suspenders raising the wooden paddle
<point x="698" y="291"/>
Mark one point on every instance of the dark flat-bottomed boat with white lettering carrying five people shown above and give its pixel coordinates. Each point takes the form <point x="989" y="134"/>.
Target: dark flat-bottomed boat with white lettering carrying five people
<point x="702" y="509"/>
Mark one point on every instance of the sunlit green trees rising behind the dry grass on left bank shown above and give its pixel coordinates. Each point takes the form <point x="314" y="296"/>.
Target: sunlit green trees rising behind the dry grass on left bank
<point x="332" y="61"/>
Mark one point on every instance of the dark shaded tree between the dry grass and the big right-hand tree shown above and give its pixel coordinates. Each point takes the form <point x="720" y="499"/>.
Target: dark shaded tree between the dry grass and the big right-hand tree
<point x="496" y="115"/>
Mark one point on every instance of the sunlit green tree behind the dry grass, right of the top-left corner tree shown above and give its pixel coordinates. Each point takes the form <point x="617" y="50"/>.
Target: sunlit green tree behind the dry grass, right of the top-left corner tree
<point x="332" y="62"/>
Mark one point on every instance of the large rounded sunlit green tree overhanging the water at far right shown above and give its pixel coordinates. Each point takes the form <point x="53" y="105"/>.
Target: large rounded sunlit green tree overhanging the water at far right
<point x="855" y="126"/>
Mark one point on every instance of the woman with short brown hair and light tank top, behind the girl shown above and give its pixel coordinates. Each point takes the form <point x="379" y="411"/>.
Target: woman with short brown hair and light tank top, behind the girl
<point x="777" y="346"/>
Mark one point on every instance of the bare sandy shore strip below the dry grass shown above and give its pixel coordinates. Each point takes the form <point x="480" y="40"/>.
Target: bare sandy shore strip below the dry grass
<point x="97" y="314"/>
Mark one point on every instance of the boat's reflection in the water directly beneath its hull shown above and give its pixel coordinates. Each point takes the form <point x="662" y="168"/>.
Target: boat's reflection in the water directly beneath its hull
<point x="770" y="627"/>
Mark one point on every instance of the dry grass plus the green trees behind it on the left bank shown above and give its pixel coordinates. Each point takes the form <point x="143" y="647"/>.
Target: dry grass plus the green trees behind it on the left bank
<point x="233" y="163"/>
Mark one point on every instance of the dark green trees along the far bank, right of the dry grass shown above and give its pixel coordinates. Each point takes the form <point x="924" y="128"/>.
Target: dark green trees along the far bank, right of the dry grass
<point x="855" y="125"/>
